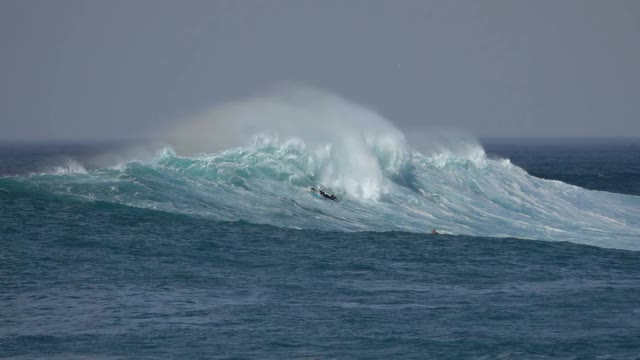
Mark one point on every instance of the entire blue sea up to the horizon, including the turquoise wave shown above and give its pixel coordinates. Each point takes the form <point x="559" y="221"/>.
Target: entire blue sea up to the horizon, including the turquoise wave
<point x="111" y="251"/>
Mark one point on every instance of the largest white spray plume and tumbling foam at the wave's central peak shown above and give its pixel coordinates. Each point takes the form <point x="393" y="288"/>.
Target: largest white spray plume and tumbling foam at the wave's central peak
<point x="346" y="140"/>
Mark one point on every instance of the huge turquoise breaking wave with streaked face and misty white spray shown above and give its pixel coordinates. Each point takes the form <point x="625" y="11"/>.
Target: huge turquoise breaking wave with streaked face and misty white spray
<point x="381" y="182"/>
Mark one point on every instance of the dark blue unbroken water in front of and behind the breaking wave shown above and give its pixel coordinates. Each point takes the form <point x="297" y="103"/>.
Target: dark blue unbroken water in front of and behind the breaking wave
<point x="90" y="278"/>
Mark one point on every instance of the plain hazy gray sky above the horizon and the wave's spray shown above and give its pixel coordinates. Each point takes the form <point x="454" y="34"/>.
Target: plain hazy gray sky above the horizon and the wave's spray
<point x="94" y="69"/>
